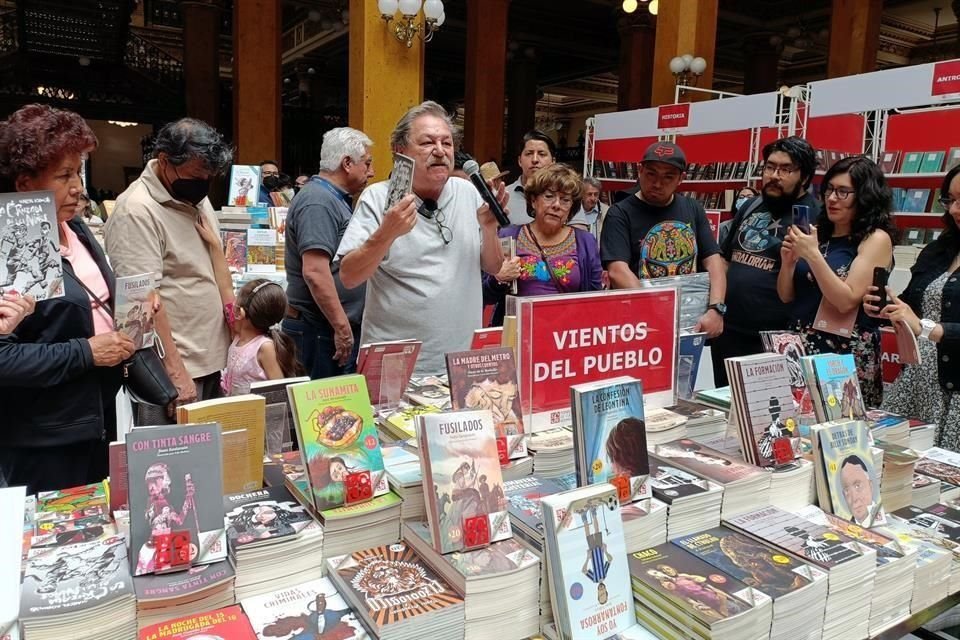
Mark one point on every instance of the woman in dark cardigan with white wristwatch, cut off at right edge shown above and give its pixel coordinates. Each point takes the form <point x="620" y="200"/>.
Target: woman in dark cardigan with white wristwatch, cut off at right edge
<point x="930" y="305"/>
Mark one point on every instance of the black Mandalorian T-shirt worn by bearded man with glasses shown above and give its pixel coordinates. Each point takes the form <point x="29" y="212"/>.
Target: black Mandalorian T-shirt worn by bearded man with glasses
<point x="752" y="248"/>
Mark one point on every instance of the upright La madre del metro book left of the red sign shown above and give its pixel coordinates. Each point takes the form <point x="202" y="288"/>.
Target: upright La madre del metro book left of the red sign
<point x="487" y="379"/>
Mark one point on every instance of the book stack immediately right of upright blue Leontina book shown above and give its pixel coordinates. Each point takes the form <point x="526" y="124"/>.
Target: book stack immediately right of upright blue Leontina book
<point x="694" y="503"/>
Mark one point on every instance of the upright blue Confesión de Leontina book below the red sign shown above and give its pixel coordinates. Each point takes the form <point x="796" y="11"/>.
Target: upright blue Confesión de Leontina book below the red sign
<point x="609" y="434"/>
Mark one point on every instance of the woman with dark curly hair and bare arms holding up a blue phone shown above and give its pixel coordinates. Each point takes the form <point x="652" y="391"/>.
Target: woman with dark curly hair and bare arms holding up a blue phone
<point x="826" y="272"/>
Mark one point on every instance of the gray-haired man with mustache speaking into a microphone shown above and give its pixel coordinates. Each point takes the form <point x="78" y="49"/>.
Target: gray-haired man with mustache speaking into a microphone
<point x="421" y="259"/>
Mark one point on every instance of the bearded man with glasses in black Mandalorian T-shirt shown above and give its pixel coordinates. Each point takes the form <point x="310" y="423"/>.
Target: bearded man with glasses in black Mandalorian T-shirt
<point x="752" y="251"/>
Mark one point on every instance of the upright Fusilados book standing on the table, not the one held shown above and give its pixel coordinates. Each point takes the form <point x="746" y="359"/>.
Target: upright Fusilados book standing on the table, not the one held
<point x="461" y="477"/>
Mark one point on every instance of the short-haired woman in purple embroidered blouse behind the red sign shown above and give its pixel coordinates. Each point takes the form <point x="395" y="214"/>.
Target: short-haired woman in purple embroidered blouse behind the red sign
<point x="552" y="257"/>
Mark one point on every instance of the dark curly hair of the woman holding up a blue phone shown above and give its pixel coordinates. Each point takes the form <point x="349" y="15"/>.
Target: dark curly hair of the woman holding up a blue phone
<point x="873" y="197"/>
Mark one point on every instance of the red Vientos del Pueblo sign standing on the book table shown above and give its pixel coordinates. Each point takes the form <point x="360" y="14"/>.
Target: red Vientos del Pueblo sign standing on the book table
<point x="578" y="338"/>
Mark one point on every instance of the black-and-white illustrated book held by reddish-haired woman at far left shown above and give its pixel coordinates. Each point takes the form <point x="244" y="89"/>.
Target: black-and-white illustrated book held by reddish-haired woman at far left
<point x="30" y="245"/>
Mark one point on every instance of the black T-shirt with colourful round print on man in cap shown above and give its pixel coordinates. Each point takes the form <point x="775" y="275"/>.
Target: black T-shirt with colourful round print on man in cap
<point x="657" y="241"/>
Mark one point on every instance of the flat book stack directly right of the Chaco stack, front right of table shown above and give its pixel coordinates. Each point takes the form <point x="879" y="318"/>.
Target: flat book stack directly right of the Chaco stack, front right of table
<point x="798" y="589"/>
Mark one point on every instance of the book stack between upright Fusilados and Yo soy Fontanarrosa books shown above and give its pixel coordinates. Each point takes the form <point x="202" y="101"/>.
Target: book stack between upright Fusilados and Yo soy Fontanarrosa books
<point x="526" y="517"/>
